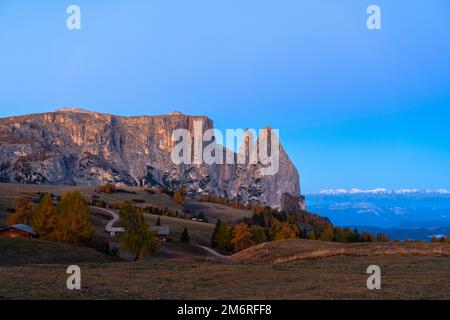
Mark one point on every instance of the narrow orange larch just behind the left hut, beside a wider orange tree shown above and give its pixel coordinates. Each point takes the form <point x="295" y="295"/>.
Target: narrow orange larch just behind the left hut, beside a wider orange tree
<point x="45" y="218"/>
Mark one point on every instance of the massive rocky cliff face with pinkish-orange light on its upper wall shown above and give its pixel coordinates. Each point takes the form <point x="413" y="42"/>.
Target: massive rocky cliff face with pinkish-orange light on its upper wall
<point x="77" y="147"/>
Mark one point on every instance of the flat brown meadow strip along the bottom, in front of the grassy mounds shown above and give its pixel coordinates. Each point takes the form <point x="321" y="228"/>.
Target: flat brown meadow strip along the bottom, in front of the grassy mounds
<point x="404" y="277"/>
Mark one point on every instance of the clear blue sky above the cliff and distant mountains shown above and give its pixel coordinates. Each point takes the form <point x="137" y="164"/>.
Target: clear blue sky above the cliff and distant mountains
<point x="355" y="108"/>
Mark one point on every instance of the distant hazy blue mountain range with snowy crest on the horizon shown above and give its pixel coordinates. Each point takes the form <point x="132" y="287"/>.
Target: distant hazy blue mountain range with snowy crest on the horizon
<point x="407" y="211"/>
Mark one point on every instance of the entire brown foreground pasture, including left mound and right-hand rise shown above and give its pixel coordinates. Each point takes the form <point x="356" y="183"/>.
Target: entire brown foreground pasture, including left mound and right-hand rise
<point x="36" y="270"/>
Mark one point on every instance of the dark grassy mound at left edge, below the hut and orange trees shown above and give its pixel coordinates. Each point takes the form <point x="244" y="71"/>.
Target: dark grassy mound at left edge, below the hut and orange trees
<point x="15" y="252"/>
